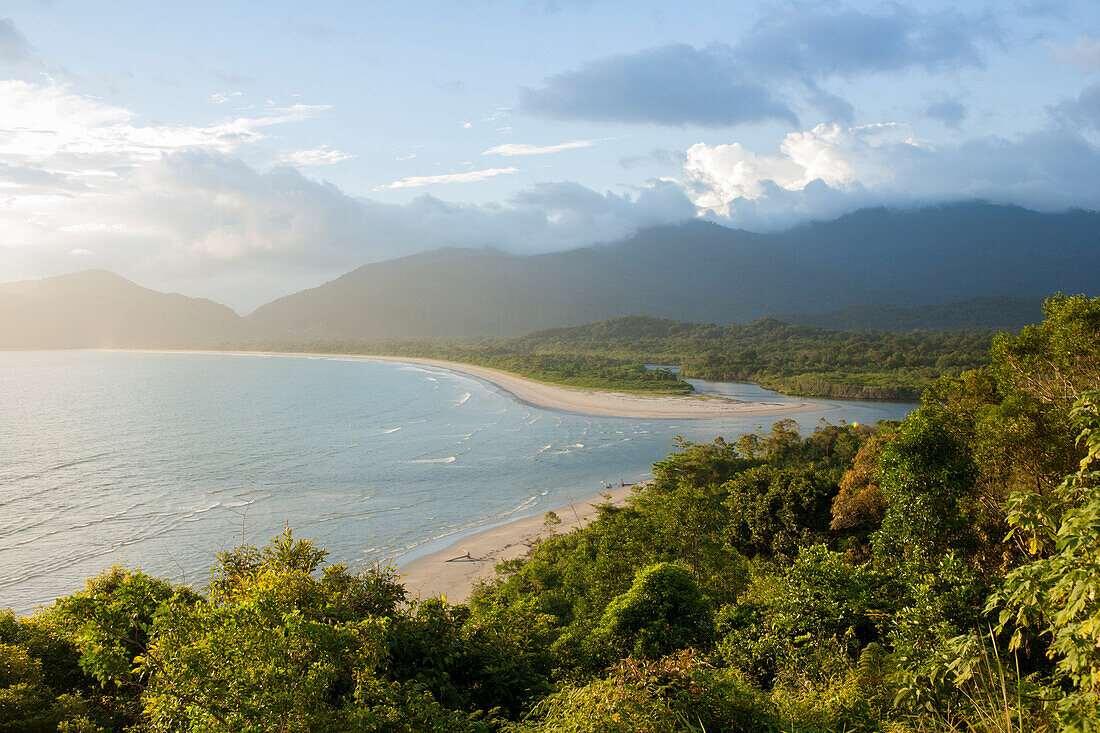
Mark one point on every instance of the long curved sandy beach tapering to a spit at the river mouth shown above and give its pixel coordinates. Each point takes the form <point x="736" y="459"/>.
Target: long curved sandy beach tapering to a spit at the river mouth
<point x="565" y="399"/>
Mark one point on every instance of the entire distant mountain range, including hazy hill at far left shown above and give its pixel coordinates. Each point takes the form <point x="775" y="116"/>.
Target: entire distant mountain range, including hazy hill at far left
<point x="964" y="266"/>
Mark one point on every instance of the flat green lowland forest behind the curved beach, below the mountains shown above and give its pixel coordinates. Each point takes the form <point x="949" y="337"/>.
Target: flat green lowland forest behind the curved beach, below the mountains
<point x="800" y="360"/>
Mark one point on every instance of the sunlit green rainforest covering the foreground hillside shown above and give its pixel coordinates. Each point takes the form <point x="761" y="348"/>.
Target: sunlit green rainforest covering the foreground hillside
<point x="940" y="574"/>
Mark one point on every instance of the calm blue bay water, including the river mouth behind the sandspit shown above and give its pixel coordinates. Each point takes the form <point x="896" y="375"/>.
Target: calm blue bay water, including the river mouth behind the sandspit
<point x="163" y="461"/>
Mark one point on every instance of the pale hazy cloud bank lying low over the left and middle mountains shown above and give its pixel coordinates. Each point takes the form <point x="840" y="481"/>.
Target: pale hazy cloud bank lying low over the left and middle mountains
<point x="208" y="224"/>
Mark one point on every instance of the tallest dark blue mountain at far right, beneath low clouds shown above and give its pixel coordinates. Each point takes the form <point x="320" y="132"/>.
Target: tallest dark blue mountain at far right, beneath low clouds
<point x="953" y="251"/>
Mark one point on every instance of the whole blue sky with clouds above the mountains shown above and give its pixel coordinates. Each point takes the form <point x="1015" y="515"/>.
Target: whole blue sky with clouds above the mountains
<point x="243" y="151"/>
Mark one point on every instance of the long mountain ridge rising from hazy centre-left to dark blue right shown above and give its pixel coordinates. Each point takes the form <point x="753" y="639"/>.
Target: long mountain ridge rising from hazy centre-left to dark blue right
<point x="702" y="272"/>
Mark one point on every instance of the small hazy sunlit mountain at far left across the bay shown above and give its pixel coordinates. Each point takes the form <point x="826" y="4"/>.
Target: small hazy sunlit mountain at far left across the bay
<point x="96" y="309"/>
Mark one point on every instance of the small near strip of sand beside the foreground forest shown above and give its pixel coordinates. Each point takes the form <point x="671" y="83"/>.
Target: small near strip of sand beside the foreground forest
<point x="453" y="572"/>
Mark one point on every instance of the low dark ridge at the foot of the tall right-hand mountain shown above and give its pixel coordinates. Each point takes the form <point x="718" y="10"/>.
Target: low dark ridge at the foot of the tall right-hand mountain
<point x="1002" y="314"/>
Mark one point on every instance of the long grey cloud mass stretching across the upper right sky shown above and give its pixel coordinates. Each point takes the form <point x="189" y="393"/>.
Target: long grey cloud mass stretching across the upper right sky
<point x="790" y="52"/>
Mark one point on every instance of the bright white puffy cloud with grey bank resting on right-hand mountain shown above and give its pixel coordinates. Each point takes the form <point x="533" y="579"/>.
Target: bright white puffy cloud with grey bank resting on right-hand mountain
<point x="831" y="170"/>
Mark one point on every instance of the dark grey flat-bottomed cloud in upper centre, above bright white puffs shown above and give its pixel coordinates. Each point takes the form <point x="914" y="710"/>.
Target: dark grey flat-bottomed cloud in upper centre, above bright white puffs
<point x="672" y="85"/>
